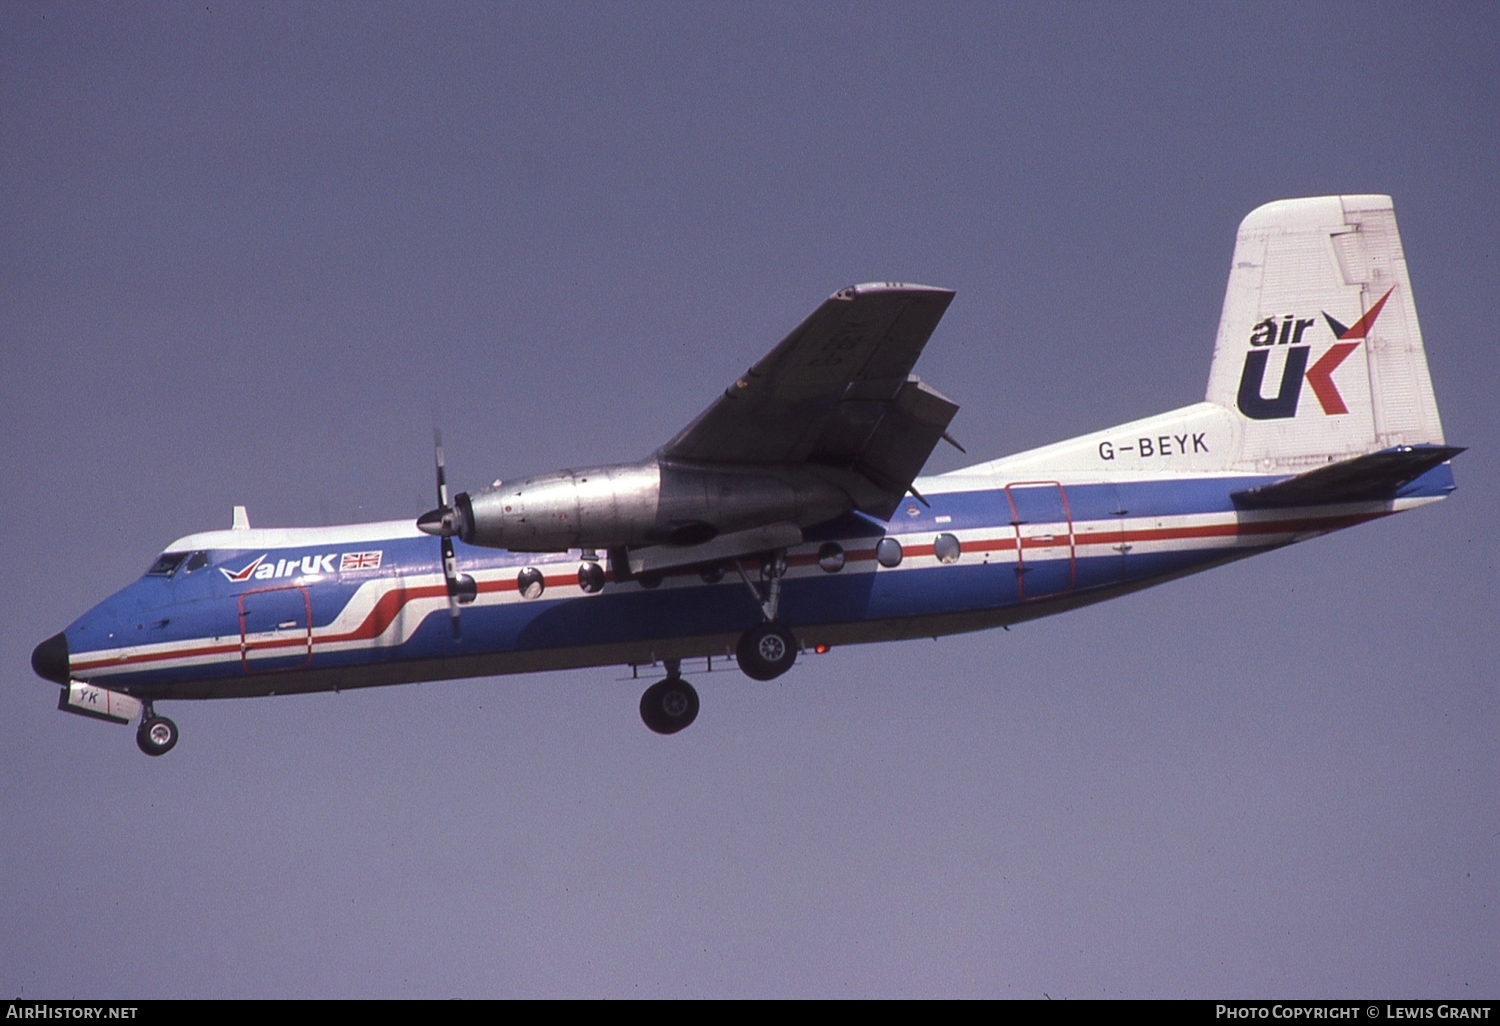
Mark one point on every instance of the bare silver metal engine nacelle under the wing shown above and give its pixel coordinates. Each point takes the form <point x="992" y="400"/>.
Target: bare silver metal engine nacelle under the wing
<point x="647" y="503"/>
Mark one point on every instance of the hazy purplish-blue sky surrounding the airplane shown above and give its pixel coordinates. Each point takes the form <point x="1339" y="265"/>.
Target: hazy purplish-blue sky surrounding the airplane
<point x="250" y="254"/>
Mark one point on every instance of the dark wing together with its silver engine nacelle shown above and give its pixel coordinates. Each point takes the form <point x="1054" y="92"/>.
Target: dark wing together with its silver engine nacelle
<point x="832" y="421"/>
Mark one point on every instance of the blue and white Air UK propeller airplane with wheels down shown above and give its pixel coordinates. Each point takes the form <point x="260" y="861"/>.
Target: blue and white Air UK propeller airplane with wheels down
<point x="790" y="515"/>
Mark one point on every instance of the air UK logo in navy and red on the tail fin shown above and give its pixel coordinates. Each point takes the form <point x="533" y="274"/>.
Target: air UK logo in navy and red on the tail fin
<point x="1321" y="376"/>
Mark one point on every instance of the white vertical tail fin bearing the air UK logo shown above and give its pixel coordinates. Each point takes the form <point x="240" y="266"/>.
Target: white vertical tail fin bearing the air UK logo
<point x="1319" y="352"/>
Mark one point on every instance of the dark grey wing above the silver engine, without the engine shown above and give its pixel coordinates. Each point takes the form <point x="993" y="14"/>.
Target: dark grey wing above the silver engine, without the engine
<point x="836" y="394"/>
